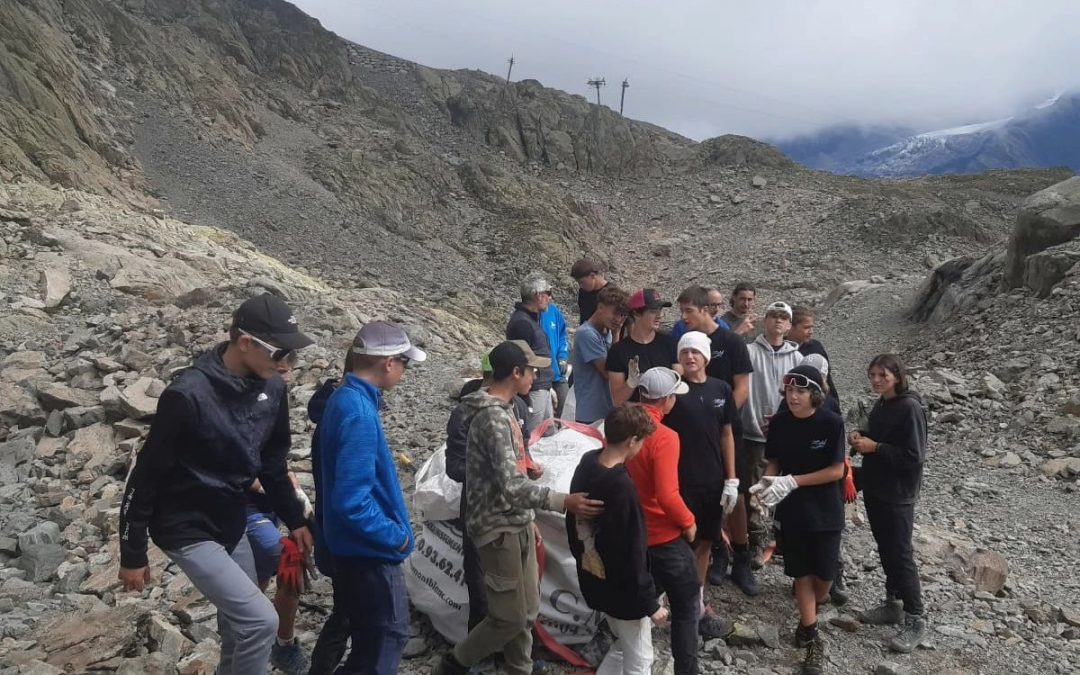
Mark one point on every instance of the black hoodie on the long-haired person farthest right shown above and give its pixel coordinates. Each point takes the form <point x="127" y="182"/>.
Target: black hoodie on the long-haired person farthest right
<point x="895" y="472"/>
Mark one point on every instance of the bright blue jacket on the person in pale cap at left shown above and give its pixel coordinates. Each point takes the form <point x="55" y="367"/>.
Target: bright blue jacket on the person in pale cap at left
<point x="366" y="515"/>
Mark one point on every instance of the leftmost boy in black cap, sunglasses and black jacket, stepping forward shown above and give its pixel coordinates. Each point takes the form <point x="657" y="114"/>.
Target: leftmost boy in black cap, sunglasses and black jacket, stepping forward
<point x="220" y="426"/>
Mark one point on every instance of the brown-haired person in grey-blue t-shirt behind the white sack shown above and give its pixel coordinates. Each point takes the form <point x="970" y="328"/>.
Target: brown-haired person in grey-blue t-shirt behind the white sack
<point x="591" y="344"/>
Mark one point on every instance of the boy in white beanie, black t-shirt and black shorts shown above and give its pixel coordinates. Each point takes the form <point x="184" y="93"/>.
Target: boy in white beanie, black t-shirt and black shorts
<point x="703" y="418"/>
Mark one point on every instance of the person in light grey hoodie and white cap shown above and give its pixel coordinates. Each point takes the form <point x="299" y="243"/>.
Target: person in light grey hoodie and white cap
<point x="772" y="357"/>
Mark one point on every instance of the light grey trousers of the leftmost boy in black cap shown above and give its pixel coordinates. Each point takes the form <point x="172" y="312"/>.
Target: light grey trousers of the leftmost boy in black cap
<point x="247" y="620"/>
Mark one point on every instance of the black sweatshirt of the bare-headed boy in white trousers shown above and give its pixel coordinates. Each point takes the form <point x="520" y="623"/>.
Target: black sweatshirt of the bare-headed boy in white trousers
<point x="627" y="592"/>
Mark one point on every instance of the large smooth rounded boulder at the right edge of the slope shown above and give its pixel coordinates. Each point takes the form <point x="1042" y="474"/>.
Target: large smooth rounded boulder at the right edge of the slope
<point x="1047" y="219"/>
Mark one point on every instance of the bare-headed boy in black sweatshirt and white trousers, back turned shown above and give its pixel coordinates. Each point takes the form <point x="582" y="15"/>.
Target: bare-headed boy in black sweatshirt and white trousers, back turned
<point x="612" y="550"/>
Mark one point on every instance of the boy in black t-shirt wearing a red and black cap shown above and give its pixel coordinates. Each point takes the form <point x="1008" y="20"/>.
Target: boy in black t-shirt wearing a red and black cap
<point x="644" y="348"/>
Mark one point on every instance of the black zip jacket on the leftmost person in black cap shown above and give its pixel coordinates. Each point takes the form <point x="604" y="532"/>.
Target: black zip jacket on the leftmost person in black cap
<point x="213" y="435"/>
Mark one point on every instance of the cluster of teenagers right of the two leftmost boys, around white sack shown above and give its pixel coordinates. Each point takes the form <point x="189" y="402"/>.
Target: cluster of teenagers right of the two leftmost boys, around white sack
<point x="720" y="433"/>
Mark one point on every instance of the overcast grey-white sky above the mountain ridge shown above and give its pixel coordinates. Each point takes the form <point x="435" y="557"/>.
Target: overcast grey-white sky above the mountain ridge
<point x="766" y="70"/>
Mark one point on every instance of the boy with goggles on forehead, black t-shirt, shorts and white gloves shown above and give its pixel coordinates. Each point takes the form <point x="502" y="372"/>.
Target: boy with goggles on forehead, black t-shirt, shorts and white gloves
<point x="805" y="450"/>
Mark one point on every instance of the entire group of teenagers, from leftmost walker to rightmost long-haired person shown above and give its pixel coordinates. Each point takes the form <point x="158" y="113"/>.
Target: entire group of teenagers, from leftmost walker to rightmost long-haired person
<point x="706" y="439"/>
